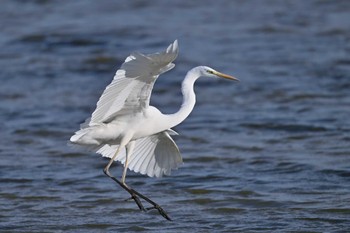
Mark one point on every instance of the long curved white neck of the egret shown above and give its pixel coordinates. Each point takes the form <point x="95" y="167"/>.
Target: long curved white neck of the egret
<point x="189" y="99"/>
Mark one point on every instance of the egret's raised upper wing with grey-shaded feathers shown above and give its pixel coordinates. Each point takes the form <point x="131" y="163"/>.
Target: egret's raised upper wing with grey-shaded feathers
<point x="130" y="90"/>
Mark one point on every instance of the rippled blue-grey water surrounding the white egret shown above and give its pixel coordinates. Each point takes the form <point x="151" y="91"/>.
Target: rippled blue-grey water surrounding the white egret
<point x="269" y="154"/>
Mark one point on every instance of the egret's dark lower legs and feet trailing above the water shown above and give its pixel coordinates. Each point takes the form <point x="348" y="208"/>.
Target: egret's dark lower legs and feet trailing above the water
<point x="136" y="197"/>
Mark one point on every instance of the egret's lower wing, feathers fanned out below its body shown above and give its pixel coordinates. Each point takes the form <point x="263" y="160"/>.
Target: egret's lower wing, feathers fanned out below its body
<point x="154" y="155"/>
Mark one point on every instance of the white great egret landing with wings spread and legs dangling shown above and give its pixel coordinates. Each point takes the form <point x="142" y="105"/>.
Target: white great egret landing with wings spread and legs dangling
<point x="124" y="127"/>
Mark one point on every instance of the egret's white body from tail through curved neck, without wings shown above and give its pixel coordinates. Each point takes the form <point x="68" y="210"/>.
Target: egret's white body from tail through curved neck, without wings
<point x="143" y="123"/>
